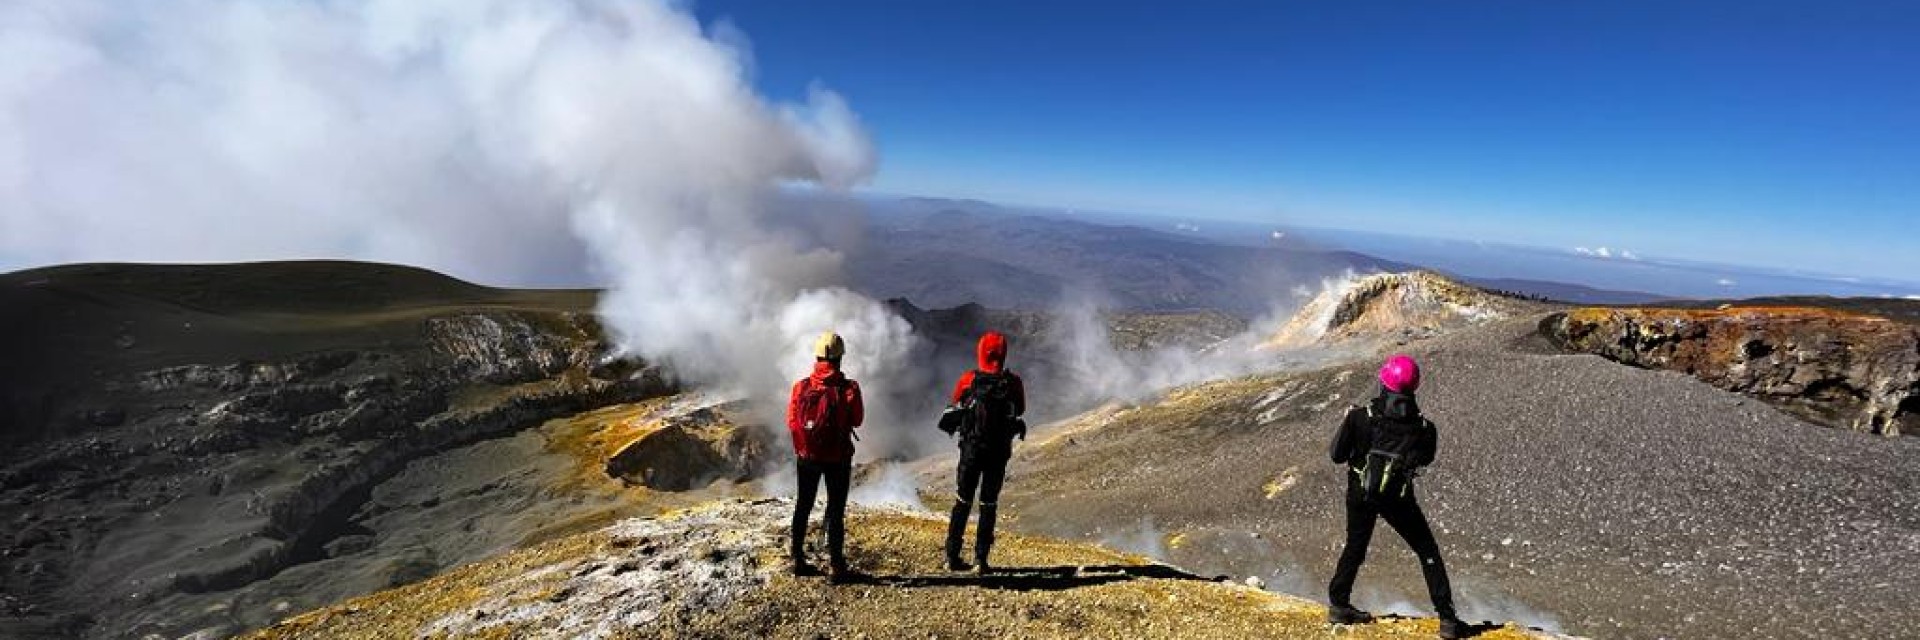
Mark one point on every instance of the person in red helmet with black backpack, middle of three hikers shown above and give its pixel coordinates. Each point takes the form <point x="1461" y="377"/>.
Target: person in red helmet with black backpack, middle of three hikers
<point x="986" y="412"/>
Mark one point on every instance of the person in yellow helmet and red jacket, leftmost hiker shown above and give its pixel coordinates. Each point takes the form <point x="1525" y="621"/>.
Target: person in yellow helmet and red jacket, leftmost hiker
<point x="823" y="414"/>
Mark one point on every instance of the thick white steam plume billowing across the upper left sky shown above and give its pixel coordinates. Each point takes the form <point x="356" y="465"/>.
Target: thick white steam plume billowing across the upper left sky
<point x="506" y="141"/>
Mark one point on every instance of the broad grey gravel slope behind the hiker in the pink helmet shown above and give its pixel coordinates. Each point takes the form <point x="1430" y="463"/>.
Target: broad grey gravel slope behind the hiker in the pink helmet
<point x="1570" y="491"/>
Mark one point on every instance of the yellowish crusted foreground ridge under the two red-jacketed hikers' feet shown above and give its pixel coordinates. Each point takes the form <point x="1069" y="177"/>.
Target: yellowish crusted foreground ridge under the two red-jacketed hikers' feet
<point x="717" y="572"/>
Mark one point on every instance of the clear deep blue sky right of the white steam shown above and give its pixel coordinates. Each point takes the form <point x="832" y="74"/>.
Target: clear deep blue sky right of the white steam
<point x="1765" y="134"/>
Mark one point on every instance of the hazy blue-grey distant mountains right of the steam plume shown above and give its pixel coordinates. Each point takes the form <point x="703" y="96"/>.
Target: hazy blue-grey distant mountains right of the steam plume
<point x="951" y="253"/>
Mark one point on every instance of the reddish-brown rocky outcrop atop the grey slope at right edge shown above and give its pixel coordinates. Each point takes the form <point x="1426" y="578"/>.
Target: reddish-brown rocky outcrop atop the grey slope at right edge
<point x="1833" y="368"/>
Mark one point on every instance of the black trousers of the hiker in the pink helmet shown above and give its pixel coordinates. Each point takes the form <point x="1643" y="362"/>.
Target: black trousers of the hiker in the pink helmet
<point x="1412" y="526"/>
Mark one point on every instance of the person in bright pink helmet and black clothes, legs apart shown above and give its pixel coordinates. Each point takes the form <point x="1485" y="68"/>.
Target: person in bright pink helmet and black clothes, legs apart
<point x="1385" y="445"/>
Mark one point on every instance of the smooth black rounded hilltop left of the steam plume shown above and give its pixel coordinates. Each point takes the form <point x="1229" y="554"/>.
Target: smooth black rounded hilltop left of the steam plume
<point x="64" y="332"/>
